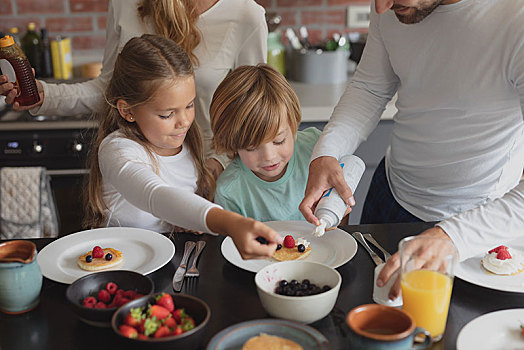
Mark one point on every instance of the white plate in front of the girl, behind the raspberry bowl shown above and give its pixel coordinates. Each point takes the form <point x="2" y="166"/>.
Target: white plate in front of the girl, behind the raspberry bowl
<point x="144" y="251"/>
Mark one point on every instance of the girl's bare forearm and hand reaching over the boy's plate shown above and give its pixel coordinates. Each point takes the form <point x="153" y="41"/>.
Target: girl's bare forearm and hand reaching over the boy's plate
<point x="244" y="232"/>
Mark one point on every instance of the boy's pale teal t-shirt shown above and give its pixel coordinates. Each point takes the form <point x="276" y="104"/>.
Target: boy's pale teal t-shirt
<point x="240" y="190"/>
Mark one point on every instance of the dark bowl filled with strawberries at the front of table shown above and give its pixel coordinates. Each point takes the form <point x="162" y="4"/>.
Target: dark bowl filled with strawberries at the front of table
<point x="163" y="319"/>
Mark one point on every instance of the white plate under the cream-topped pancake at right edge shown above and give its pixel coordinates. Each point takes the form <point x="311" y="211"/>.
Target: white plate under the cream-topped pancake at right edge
<point x="471" y="270"/>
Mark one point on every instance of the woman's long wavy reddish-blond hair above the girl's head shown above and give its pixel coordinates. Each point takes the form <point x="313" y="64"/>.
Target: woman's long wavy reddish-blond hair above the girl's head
<point x="174" y="19"/>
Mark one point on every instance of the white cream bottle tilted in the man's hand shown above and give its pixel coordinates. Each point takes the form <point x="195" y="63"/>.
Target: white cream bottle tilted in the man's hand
<point x="331" y="207"/>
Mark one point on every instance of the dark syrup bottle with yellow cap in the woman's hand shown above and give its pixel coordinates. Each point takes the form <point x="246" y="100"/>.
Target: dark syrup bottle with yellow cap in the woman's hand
<point x="15" y="65"/>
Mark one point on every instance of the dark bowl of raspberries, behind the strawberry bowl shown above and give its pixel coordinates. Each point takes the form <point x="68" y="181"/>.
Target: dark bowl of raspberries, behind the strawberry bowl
<point x="96" y="297"/>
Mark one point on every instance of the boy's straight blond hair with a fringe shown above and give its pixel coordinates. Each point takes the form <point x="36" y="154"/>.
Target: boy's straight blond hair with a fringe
<point x="249" y="106"/>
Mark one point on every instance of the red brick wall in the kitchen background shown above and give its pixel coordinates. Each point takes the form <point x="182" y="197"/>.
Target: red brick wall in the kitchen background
<point x="84" y="20"/>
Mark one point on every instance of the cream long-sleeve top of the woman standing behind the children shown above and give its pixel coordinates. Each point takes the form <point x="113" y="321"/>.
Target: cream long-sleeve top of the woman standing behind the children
<point x="234" y="33"/>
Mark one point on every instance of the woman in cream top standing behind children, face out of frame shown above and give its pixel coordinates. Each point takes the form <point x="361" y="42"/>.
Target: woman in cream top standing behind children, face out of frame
<point x="218" y="35"/>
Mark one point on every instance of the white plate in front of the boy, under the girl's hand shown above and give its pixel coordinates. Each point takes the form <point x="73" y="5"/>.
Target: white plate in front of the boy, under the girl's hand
<point x="335" y="248"/>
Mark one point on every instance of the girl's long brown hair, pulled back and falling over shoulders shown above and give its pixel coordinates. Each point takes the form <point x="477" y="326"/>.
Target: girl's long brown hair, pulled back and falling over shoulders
<point x="143" y="65"/>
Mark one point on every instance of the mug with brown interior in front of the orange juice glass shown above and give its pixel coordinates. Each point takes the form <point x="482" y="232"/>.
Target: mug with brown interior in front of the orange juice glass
<point x="381" y="327"/>
